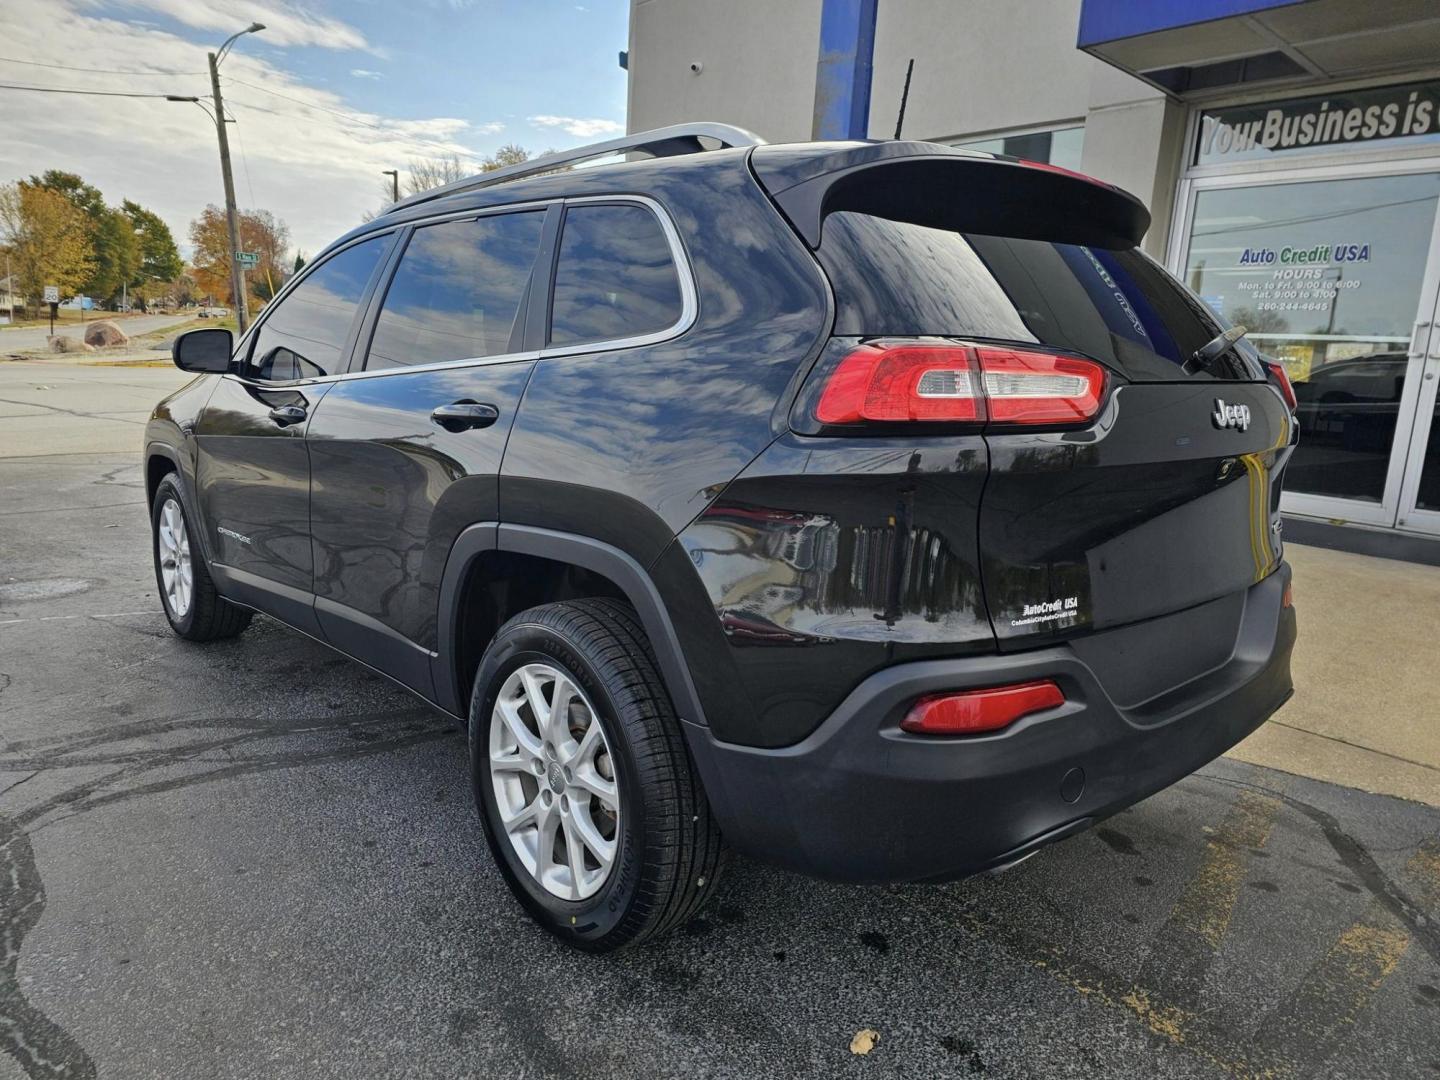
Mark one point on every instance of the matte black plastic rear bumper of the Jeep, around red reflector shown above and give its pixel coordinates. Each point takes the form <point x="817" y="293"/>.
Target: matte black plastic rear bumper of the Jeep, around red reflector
<point x="863" y="801"/>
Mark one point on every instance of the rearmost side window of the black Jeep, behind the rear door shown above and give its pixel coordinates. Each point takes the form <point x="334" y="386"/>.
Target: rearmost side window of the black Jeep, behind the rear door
<point x="614" y="279"/>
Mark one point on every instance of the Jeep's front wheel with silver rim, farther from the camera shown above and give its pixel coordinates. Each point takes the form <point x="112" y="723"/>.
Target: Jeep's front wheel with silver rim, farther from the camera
<point x="195" y="610"/>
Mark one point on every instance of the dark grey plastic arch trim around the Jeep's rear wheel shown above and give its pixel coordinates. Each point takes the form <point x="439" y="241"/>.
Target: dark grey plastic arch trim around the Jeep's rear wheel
<point x="564" y="548"/>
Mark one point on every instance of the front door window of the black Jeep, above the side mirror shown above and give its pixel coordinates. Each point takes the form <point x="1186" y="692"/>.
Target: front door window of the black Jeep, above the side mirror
<point x="305" y="336"/>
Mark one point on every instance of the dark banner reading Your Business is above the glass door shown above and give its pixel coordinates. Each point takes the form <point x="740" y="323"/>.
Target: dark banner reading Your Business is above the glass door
<point x="1399" y="116"/>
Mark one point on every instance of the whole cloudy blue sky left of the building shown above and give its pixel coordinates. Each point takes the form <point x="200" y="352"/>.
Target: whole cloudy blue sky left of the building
<point x="325" y="99"/>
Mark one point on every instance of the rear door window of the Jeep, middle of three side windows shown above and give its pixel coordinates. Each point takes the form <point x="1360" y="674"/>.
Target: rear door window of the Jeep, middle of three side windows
<point x="457" y="292"/>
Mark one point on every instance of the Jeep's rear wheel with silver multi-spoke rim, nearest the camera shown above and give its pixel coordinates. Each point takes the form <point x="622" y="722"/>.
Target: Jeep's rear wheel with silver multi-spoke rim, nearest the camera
<point x="593" y="810"/>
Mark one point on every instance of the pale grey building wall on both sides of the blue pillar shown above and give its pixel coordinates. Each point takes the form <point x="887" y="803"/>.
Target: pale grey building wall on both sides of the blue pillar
<point x="981" y="68"/>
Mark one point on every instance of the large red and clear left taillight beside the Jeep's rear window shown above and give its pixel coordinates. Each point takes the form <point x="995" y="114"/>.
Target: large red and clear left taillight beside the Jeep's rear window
<point x="902" y="382"/>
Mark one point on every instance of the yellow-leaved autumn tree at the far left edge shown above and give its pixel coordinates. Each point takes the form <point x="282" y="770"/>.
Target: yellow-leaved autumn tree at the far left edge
<point x="47" y="238"/>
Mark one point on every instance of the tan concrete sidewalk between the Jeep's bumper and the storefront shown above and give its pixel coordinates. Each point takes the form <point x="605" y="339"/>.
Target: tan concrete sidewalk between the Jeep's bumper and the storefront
<point x="1367" y="678"/>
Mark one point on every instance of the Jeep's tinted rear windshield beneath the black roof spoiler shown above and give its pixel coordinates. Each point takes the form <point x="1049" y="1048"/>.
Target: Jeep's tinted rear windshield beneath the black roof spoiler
<point x="1121" y="307"/>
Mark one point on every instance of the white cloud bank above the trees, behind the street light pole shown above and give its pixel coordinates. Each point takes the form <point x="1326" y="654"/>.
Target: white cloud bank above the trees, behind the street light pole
<point x="300" y="152"/>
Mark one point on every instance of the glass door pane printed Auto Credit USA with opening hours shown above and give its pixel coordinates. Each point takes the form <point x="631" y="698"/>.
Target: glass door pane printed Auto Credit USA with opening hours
<point x="1327" y="276"/>
